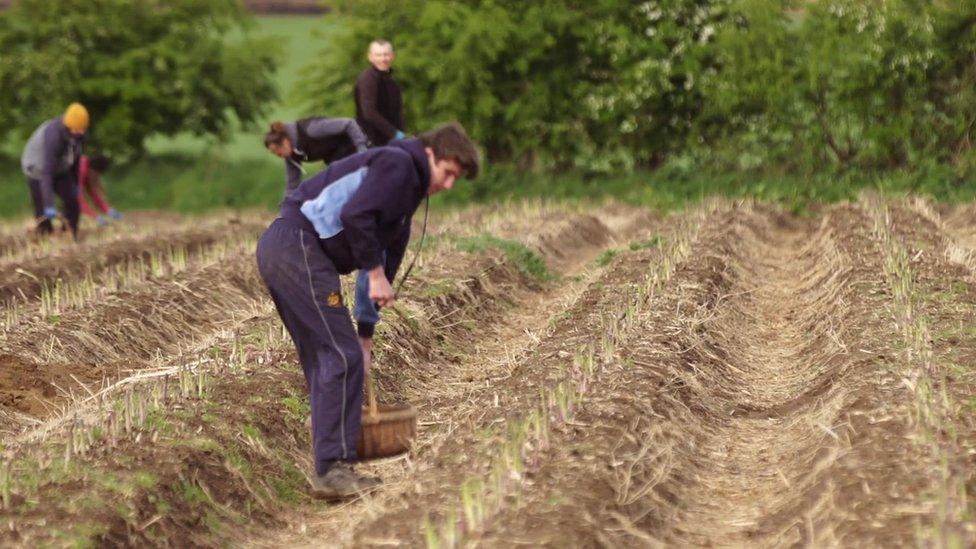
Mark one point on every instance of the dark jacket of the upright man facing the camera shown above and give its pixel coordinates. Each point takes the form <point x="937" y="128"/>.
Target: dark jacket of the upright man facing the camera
<point x="379" y="105"/>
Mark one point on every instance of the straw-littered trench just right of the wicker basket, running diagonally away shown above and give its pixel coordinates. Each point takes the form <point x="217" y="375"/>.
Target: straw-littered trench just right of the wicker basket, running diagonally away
<point x="459" y="400"/>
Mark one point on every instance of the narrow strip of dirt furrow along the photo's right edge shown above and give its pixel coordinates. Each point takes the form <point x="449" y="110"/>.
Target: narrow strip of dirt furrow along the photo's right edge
<point x="942" y="271"/>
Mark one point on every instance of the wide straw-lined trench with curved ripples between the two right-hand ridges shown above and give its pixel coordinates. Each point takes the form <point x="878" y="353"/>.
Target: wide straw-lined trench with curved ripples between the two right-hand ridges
<point x="776" y="373"/>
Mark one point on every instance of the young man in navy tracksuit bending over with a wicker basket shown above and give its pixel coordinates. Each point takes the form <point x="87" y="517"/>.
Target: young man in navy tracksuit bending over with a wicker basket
<point x="354" y="215"/>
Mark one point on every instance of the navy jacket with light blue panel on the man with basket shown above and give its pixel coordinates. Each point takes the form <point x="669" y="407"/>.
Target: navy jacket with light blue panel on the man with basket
<point x="387" y="184"/>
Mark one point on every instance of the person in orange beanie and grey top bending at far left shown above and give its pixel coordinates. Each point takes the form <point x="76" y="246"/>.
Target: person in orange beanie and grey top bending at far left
<point x="50" y="162"/>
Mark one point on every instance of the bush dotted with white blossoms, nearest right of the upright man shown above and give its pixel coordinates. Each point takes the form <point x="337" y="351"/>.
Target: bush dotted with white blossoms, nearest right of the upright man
<point x="646" y="61"/>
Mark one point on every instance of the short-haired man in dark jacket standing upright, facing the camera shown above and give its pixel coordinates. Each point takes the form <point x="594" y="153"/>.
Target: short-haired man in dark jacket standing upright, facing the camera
<point x="379" y="105"/>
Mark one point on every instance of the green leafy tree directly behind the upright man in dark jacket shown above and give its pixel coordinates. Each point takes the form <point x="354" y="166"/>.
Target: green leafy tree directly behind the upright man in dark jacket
<point x="499" y="67"/>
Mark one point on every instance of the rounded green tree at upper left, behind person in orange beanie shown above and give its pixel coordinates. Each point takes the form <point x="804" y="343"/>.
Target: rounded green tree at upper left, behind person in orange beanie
<point x="142" y="67"/>
